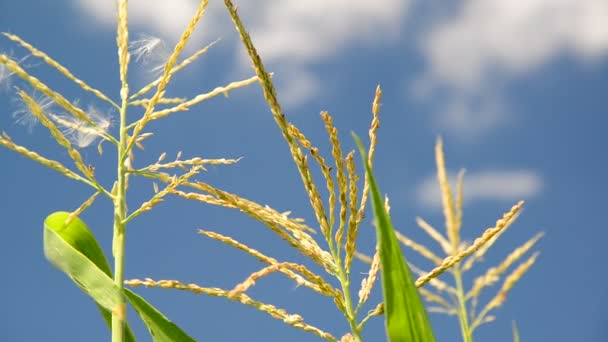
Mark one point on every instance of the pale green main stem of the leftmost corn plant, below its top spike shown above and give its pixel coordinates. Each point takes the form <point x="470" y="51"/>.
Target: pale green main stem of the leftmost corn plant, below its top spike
<point x="120" y="213"/>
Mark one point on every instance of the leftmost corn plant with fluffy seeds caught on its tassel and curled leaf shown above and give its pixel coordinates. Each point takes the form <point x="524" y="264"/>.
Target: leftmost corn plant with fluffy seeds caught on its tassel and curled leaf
<point x="68" y="242"/>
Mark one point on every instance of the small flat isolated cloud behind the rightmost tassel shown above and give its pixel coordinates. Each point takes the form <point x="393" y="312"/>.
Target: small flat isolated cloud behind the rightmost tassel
<point x="490" y="185"/>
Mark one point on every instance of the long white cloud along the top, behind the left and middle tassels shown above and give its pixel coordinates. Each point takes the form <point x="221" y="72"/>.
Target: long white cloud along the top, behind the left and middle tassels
<point x="290" y="35"/>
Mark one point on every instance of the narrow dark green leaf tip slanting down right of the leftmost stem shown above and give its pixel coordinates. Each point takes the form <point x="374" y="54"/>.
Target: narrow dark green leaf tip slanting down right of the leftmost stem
<point x="160" y="327"/>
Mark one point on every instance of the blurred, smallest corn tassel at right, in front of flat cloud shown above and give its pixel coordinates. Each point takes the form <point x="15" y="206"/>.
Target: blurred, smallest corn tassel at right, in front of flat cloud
<point x="452" y="298"/>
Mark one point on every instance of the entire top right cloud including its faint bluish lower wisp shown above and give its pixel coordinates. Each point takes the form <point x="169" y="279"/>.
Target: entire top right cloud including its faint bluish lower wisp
<point x="489" y="42"/>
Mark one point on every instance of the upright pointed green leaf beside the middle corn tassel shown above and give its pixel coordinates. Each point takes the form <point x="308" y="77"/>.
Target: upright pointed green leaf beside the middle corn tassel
<point x="406" y="317"/>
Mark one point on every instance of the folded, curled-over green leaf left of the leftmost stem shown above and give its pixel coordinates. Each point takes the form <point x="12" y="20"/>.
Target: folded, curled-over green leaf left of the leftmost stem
<point x="74" y="250"/>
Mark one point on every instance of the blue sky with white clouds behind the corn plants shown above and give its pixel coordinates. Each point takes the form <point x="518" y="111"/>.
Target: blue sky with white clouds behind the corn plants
<point x="516" y="89"/>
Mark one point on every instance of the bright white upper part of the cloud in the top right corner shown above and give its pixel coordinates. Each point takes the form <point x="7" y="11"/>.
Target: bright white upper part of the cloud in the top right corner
<point x="514" y="36"/>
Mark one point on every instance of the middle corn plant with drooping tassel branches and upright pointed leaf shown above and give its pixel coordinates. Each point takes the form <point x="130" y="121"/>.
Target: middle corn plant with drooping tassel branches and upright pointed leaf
<point x="338" y="218"/>
